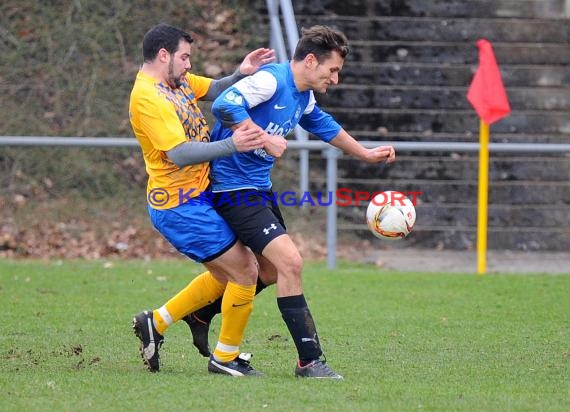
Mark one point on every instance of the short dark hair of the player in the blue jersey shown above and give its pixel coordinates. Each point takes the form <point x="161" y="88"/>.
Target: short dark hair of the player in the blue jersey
<point x="321" y="41"/>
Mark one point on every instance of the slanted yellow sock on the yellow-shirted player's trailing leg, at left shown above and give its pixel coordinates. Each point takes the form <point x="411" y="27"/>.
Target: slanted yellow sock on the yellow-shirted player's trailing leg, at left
<point x="202" y="290"/>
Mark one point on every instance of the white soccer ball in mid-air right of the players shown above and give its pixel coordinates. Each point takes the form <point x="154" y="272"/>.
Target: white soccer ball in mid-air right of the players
<point x="390" y="215"/>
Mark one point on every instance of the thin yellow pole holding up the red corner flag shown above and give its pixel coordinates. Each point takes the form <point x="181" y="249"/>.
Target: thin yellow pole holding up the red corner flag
<point x="482" y="197"/>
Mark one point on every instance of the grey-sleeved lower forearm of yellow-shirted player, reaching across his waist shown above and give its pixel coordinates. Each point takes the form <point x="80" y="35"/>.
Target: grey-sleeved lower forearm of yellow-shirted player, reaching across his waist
<point x="190" y="153"/>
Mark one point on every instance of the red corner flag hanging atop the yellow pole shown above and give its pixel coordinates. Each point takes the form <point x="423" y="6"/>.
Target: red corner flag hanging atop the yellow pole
<point x="486" y="93"/>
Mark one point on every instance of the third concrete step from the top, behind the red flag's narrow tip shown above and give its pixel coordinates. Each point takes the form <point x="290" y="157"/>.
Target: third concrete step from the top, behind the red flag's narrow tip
<point x="458" y="53"/>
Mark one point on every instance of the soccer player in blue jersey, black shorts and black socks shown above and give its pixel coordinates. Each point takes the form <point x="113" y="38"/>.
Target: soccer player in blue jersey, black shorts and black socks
<point x="276" y="99"/>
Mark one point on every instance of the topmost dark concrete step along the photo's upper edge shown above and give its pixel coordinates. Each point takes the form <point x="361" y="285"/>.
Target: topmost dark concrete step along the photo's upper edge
<point x="550" y="9"/>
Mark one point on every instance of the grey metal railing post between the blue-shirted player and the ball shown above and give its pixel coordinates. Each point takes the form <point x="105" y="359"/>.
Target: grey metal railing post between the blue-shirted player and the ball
<point x="332" y="155"/>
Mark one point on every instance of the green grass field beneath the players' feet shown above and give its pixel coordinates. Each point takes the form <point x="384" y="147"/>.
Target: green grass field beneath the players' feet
<point x="403" y="341"/>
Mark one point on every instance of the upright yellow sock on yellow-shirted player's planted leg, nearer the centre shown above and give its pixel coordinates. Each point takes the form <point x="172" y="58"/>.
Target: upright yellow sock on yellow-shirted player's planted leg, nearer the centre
<point x="237" y="305"/>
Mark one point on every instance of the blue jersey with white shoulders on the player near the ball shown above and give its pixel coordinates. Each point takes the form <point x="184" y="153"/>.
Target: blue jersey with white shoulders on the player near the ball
<point x="271" y="99"/>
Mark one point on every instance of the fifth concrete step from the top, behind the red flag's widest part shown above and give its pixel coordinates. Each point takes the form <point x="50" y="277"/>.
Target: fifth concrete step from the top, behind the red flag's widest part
<point x="438" y="97"/>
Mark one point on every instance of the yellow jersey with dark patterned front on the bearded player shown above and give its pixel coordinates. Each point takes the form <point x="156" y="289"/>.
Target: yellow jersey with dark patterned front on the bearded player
<point x="162" y="118"/>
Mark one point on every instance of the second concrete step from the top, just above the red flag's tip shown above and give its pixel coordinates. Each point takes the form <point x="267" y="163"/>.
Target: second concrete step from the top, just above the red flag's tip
<point x="441" y="29"/>
